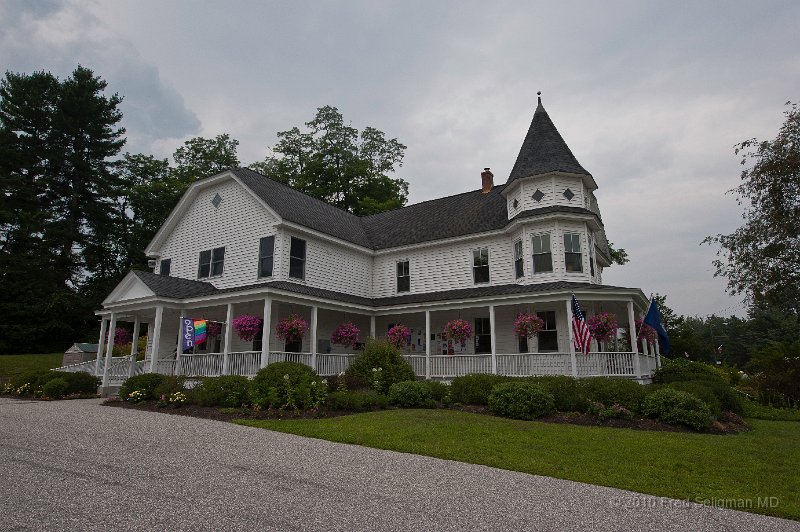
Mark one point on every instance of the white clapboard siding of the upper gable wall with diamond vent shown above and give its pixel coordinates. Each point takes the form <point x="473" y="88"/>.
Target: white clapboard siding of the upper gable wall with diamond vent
<point x="237" y="224"/>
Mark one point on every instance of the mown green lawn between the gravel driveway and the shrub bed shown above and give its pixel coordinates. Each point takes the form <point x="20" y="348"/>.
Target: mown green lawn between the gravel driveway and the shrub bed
<point x="761" y="463"/>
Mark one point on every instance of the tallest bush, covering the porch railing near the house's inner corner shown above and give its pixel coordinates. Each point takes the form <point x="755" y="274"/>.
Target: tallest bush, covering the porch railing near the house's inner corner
<point x="382" y="355"/>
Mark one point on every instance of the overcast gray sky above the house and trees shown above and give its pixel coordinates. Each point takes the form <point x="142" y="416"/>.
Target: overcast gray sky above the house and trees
<point x="651" y="97"/>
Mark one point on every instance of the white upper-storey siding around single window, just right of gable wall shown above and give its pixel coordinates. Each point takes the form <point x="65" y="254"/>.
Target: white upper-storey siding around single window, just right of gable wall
<point x="330" y="266"/>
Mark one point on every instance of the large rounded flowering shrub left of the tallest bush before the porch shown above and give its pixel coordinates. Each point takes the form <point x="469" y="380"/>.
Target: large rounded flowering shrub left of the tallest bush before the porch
<point x="285" y="385"/>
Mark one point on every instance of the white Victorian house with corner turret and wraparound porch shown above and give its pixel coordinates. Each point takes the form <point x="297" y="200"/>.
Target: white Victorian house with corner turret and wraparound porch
<point x="240" y="243"/>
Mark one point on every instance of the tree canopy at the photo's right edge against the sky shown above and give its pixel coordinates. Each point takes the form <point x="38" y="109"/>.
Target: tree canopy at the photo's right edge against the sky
<point x="761" y="259"/>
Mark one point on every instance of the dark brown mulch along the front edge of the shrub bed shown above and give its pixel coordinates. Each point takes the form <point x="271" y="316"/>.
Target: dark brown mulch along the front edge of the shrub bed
<point x="730" y="423"/>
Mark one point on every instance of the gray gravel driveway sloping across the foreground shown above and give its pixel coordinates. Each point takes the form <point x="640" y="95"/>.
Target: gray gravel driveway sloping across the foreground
<point x="76" y="465"/>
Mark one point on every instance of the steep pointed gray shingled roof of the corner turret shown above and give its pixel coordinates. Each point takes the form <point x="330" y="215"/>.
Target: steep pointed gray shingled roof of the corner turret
<point x="544" y="150"/>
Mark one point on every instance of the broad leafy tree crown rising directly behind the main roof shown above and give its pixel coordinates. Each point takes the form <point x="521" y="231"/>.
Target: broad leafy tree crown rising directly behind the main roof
<point x="333" y="162"/>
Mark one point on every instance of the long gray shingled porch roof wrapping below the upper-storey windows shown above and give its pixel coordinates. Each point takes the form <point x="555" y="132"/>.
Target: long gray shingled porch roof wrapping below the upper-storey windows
<point x="177" y="288"/>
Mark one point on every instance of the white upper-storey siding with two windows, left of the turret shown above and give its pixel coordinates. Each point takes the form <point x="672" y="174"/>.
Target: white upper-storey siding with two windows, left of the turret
<point x="445" y="267"/>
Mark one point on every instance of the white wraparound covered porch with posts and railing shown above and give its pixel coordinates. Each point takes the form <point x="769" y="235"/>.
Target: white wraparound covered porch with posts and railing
<point x="494" y="348"/>
